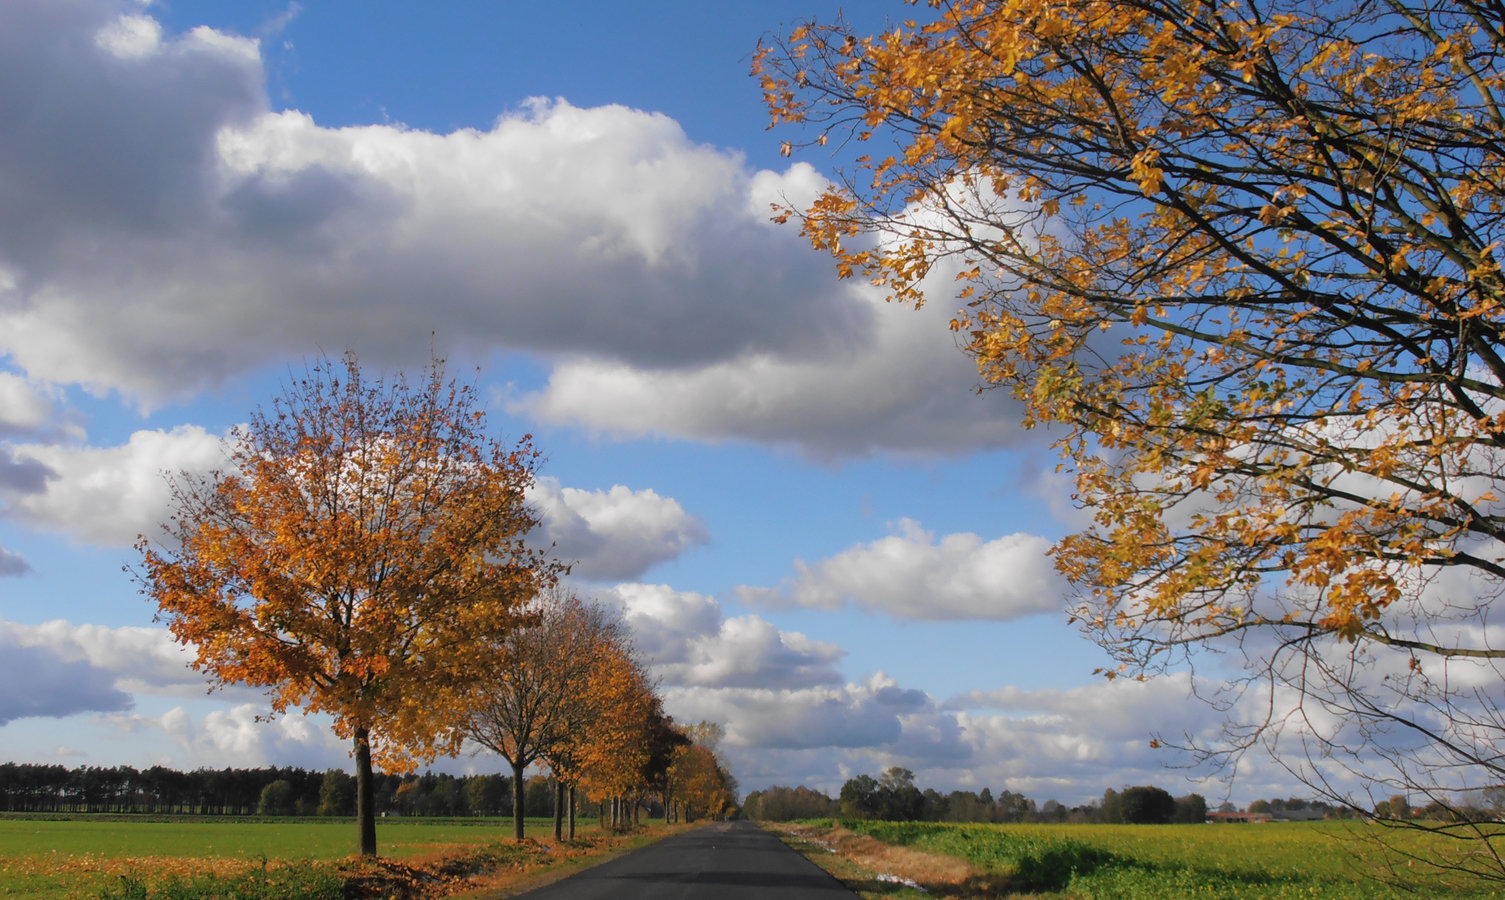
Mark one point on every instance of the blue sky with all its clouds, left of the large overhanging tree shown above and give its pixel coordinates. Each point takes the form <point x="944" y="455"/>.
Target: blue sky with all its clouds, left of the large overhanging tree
<point x="824" y="538"/>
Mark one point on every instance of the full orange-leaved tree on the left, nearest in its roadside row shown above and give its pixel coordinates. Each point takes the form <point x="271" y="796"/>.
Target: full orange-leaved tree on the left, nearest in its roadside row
<point x="363" y="540"/>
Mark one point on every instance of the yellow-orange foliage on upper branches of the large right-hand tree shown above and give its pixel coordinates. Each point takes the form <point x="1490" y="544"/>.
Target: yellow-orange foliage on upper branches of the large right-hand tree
<point x="1256" y="243"/>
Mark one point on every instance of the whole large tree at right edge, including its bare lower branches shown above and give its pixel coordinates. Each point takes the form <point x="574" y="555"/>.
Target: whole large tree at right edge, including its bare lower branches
<point x="1244" y="257"/>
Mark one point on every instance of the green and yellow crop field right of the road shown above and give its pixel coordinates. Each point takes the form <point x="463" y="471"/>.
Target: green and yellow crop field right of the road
<point x="1339" y="860"/>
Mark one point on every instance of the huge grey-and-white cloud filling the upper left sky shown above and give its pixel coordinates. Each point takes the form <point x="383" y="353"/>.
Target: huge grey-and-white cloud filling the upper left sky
<point x="165" y="230"/>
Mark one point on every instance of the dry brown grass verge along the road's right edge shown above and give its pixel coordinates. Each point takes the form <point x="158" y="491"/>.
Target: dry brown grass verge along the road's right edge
<point x="878" y="871"/>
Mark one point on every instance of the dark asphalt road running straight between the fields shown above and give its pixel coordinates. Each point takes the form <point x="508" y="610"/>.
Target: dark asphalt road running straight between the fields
<point x="722" y="862"/>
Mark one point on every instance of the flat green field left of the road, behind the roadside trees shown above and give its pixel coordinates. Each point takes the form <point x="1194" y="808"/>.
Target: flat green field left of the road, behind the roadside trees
<point x="68" y="859"/>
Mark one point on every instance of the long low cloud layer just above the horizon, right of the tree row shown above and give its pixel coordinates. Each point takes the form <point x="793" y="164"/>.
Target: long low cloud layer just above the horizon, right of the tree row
<point x="1059" y="744"/>
